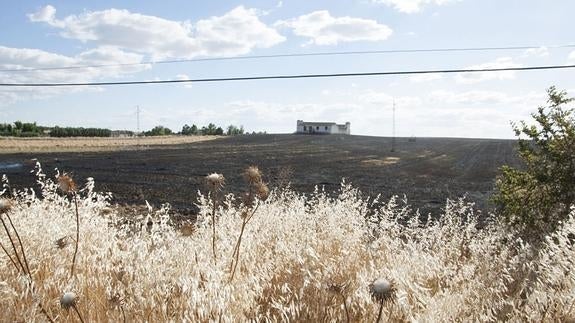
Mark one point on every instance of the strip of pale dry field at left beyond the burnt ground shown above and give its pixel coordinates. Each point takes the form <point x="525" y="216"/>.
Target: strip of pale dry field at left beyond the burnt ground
<point x="81" y="144"/>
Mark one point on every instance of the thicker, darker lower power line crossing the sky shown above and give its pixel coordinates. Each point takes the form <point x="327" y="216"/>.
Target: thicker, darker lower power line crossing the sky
<point x="297" y="76"/>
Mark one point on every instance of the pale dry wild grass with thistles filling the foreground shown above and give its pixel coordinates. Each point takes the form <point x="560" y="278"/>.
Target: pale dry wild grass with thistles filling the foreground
<point x="299" y="258"/>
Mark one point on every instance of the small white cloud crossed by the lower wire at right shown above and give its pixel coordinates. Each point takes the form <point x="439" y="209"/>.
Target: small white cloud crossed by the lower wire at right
<point x="476" y="77"/>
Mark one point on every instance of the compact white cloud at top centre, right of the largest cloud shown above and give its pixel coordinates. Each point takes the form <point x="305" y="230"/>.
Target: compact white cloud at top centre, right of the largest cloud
<point x="324" y="29"/>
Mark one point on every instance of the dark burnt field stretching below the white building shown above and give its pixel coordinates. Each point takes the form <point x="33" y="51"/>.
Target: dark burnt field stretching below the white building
<point x="427" y="170"/>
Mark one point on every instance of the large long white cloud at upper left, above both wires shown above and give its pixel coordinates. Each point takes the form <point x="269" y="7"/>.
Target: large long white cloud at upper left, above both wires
<point x="237" y="32"/>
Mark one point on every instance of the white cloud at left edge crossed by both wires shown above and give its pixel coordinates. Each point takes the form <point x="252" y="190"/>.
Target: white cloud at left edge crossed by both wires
<point x="26" y="58"/>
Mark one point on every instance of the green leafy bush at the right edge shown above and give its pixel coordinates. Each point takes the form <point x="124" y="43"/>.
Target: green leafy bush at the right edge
<point x="537" y="198"/>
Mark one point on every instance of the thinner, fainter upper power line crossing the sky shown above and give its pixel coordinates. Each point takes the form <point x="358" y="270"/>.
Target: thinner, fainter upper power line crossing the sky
<point x="391" y="51"/>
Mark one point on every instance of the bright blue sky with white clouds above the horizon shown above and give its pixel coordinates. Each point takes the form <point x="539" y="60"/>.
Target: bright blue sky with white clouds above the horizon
<point x="39" y="34"/>
